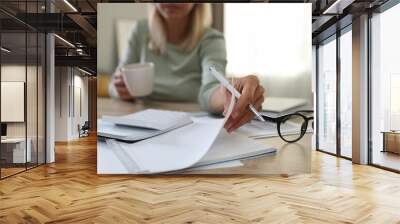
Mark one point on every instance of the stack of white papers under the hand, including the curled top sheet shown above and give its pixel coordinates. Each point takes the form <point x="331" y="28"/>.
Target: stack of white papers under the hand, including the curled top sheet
<point x="199" y="144"/>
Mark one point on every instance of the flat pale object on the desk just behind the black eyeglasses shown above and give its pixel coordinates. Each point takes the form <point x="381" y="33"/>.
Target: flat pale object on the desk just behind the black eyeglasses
<point x="282" y="104"/>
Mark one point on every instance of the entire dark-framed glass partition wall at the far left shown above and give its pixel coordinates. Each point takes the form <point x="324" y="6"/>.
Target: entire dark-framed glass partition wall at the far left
<point x="22" y="77"/>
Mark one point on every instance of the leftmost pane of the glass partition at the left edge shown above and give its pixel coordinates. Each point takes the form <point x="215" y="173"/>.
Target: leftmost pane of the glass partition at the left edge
<point x="15" y="151"/>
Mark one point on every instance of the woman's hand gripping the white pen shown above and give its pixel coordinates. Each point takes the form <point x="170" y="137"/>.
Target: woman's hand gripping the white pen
<point x="252" y="93"/>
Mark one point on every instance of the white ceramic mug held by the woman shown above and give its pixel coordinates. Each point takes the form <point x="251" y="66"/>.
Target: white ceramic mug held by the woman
<point x="138" y="78"/>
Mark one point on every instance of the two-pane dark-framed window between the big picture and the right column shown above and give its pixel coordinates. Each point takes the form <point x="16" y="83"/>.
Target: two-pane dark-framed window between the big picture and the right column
<point x="334" y="94"/>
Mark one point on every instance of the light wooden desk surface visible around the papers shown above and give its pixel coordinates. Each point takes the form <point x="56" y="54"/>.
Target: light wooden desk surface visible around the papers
<point x="289" y="159"/>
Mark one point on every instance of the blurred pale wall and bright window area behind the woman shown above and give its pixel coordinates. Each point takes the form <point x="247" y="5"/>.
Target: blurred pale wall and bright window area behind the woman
<point x="278" y="52"/>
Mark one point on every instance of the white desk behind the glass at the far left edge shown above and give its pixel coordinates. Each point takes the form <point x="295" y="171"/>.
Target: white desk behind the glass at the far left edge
<point x="17" y="147"/>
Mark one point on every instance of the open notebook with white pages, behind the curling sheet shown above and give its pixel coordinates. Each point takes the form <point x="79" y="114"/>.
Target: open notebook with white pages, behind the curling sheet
<point x="141" y="125"/>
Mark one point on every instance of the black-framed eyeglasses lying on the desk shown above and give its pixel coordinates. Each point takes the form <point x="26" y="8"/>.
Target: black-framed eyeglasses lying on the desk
<point x="279" y="120"/>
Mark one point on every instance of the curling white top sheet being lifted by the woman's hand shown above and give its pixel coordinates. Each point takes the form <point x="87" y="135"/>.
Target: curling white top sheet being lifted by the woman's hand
<point x="174" y="150"/>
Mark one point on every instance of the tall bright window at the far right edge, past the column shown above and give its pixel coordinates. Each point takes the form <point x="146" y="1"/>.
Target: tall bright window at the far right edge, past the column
<point x="385" y="88"/>
